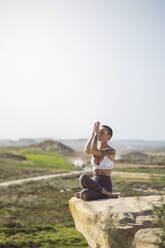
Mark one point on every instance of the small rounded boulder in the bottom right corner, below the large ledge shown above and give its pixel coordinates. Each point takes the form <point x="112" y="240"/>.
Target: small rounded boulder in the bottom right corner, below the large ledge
<point x="147" y="238"/>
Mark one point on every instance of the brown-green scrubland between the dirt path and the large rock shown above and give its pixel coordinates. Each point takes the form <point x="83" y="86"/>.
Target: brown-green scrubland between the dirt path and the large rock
<point x="36" y="214"/>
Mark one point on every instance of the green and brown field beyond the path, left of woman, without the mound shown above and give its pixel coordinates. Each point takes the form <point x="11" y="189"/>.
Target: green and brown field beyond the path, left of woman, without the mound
<point x="37" y="163"/>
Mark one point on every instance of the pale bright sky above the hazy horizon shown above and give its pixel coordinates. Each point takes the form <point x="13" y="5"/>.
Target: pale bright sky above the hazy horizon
<point x="65" y="64"/>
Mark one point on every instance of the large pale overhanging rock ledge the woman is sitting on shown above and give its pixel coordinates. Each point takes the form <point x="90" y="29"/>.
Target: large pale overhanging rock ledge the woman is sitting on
<point x="103" y="222"/>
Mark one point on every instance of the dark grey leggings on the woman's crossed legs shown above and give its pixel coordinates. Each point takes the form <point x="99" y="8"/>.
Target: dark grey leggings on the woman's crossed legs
<point x="92" y="187"/>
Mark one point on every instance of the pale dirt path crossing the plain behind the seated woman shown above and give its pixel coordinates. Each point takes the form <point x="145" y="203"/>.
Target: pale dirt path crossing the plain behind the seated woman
<point x="114" y="174"/>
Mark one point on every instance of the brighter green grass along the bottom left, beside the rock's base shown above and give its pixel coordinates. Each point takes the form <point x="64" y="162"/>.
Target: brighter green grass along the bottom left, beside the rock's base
<point x="60" y="236"/>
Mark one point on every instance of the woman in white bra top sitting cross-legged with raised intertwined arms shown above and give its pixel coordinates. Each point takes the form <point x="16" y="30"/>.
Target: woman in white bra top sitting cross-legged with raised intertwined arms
<point x="100" y="186"/>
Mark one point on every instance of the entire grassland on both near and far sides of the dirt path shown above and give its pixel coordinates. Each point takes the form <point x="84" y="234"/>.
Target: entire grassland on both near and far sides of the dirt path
<point x="36" y="214"/>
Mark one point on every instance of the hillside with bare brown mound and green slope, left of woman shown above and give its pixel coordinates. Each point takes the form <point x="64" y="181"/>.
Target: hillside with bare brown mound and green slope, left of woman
<point x="44" y="158"/>
